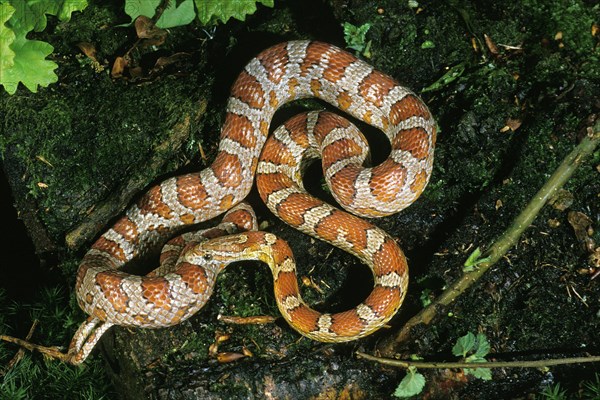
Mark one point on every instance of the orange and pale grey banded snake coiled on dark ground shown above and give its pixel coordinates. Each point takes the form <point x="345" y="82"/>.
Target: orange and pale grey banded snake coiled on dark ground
<point x="183" y="283"/>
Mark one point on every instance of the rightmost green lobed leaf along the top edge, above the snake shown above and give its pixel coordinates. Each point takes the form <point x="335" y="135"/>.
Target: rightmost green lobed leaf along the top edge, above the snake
<point x="211" y="11"/>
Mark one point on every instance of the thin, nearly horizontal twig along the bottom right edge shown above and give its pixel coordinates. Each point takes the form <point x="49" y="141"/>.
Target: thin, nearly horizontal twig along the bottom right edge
<point x="489" y="364"/>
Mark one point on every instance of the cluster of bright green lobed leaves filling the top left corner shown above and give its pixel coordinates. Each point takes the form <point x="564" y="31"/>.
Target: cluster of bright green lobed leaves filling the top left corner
<point x="23" y="60"/>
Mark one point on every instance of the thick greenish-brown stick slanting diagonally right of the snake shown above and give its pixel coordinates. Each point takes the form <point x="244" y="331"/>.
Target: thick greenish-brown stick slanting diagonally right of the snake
<point x="498" y="249"/>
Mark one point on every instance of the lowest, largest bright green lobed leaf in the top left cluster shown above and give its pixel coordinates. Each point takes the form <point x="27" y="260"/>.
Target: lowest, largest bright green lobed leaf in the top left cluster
<point x="30" y="66"/>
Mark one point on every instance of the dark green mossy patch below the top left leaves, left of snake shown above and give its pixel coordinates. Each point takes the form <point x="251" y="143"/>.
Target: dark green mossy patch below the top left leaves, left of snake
<point x="73" y="155"/>
